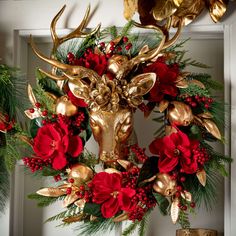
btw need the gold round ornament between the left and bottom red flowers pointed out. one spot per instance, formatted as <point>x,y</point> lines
<point>80,173</point>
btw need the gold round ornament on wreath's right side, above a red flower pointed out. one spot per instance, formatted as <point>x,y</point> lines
<point>180,114</point>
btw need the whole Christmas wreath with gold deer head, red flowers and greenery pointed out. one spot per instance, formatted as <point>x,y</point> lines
<point>95,86</point>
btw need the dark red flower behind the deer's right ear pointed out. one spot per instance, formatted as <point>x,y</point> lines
<point>166,79</point>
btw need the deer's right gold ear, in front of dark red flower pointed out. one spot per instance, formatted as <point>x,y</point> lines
<point>139,86</point>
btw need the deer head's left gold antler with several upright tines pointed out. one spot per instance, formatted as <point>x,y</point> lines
<point>69,69</point>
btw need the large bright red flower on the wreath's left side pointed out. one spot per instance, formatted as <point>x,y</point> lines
<point>54,141</point>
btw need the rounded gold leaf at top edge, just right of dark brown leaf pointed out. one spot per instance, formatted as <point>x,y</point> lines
<point>165,8</point>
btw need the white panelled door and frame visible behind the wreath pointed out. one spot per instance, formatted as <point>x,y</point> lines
<point>209,44</point>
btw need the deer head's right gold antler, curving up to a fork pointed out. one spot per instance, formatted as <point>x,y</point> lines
<point>149,55</point>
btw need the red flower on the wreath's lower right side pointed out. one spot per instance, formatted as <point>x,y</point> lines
<point>173,150</point>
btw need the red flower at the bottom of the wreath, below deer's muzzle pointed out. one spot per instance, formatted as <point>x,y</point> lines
<point>108,191</point>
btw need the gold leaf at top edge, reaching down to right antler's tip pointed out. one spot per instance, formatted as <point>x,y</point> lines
<point>188,10</point>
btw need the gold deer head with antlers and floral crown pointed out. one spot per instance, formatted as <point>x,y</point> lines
<point>111,103</point>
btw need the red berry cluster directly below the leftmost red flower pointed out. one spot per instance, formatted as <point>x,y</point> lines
<point>36,163</point>
